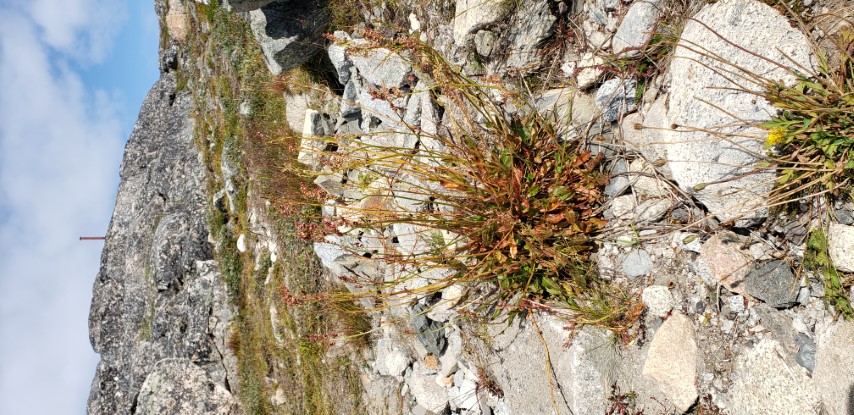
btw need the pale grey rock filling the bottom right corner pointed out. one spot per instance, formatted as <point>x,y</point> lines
<point>834,368</point>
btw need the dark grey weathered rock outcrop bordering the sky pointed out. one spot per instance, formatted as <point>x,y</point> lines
<point>158,293</point>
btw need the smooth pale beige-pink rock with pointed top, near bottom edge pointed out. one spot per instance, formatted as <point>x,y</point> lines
<point>672,361</point>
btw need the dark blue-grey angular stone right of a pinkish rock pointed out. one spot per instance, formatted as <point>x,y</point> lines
<point>773,282</point>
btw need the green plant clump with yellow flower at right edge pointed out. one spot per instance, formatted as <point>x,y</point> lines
<point>811,139</point>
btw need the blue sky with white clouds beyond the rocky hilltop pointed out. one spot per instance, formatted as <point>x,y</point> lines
<point>73,74</point>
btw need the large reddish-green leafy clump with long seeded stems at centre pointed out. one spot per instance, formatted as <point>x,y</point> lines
<point>501,197</point>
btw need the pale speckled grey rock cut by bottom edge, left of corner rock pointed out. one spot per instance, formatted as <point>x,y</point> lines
<point>763,383</point>
